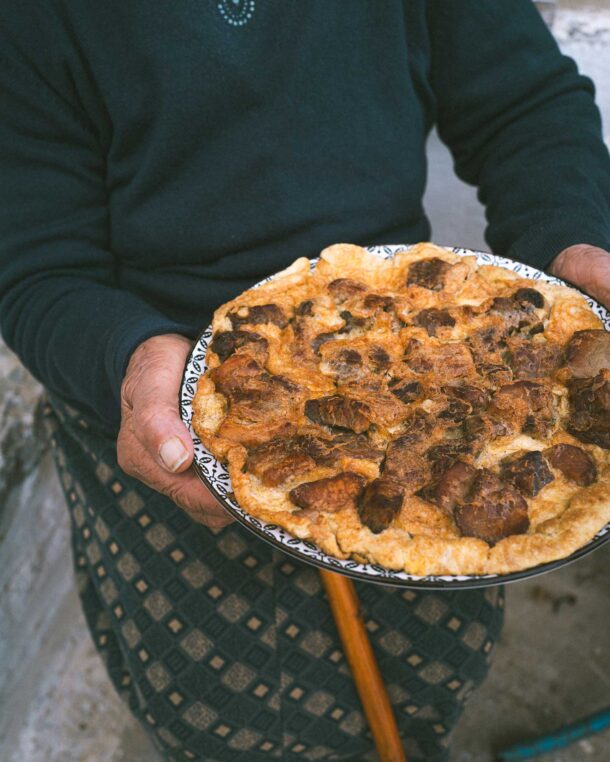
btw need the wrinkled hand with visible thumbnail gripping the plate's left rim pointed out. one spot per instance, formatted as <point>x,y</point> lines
<point>154,445</point>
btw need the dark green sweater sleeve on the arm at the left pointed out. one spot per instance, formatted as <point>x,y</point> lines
<point>61,308</point>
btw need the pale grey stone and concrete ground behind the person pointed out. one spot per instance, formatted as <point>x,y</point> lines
<point>56,704</point>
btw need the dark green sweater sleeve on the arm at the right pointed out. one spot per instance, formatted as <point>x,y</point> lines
<point>522,125</point>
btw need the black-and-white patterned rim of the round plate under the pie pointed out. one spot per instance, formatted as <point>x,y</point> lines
<point>216,477</point>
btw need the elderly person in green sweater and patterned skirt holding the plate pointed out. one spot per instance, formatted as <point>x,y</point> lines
<point>159,158</point>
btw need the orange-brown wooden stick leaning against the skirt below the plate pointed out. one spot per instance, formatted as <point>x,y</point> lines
<point>345,606</point>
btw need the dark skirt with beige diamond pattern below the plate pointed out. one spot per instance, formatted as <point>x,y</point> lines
<point>226,649</point>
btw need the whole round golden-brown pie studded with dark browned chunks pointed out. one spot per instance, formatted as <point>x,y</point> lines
<point>421,412</point>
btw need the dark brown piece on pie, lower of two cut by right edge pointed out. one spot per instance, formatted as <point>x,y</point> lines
<point>590,409</point>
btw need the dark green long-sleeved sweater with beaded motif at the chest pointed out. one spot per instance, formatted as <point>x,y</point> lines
<point>159,157</point>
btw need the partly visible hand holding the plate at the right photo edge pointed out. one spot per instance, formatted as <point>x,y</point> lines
<point>588,268</point>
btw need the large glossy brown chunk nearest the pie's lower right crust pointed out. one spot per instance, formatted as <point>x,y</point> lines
<point>493,509</point>
